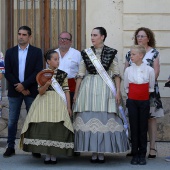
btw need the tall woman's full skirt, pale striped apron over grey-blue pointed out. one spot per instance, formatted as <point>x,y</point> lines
<point>97,124</point>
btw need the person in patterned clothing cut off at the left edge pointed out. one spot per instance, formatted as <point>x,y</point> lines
<point>2,71</point>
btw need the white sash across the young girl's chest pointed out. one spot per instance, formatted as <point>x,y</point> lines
<point>58,89</point>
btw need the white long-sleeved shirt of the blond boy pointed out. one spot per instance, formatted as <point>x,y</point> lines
<point>139,75</point>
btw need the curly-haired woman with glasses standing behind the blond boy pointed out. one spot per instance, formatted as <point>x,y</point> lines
<point>144,36</point>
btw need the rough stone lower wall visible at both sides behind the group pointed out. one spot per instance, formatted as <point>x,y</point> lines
<point>163,124</point>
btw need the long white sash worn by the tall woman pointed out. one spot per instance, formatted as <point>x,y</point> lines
<point>102,72</point>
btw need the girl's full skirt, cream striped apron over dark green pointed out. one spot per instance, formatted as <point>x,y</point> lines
<point>48,128</point>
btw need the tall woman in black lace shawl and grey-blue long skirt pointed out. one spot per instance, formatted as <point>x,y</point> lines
<point>98,125</point>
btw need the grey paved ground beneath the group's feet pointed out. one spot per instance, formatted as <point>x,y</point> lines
<point>24,161</point>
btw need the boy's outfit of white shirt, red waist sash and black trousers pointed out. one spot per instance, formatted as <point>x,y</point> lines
<point>139,81</point>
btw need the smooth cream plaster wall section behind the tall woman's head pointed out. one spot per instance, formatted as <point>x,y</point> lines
<point>108,14</point>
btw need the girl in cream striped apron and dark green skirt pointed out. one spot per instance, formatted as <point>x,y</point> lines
<point>48,128</point>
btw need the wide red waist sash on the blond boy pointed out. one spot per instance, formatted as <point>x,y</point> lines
<point>138,91</point>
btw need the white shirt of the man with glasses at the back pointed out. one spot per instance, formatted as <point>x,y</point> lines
<point>70,62</point>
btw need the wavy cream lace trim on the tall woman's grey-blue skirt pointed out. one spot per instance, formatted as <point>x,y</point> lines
<point>95,125</point>
